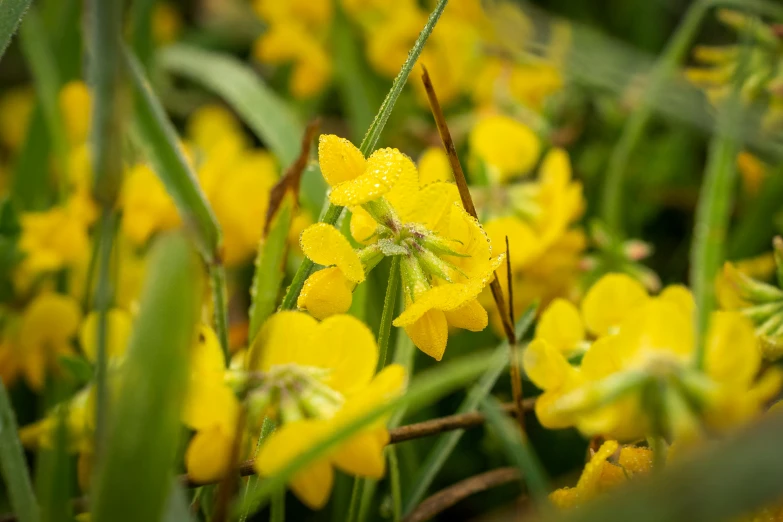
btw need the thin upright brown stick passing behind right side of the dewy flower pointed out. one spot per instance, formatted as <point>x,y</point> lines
<point>506,316</point>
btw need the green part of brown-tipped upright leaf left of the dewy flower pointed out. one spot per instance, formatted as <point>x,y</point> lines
<point>270,266</point>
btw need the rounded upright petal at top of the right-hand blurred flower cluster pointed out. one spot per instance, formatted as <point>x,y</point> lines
<point>609,301</point>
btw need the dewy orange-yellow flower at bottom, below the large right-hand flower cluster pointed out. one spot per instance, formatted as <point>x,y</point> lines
<point>600,474</point>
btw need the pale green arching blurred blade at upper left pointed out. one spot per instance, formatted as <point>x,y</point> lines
<point>260,107</point>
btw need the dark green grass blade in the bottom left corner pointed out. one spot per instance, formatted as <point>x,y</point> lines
<point>13,466</point>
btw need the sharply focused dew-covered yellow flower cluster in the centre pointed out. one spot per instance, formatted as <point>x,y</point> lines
<point>446,258</point>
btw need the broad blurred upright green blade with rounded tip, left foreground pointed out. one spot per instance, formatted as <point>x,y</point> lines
<point>134,476</point>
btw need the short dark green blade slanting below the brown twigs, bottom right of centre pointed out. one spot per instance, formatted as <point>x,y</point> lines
<point>518,449</point>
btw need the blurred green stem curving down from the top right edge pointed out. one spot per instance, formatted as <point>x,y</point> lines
<point>637,121</point>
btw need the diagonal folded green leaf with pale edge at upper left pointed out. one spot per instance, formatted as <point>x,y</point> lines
<point>156,136</point>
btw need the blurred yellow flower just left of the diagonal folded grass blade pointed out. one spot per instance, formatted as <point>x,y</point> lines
<point>147,207</point>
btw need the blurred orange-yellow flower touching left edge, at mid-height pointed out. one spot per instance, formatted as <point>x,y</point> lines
<point>43,332</point>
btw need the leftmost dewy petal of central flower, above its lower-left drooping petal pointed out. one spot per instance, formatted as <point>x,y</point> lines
<point>325,245</point>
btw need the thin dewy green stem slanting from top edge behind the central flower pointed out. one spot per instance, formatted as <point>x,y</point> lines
<point>368,144</point>
